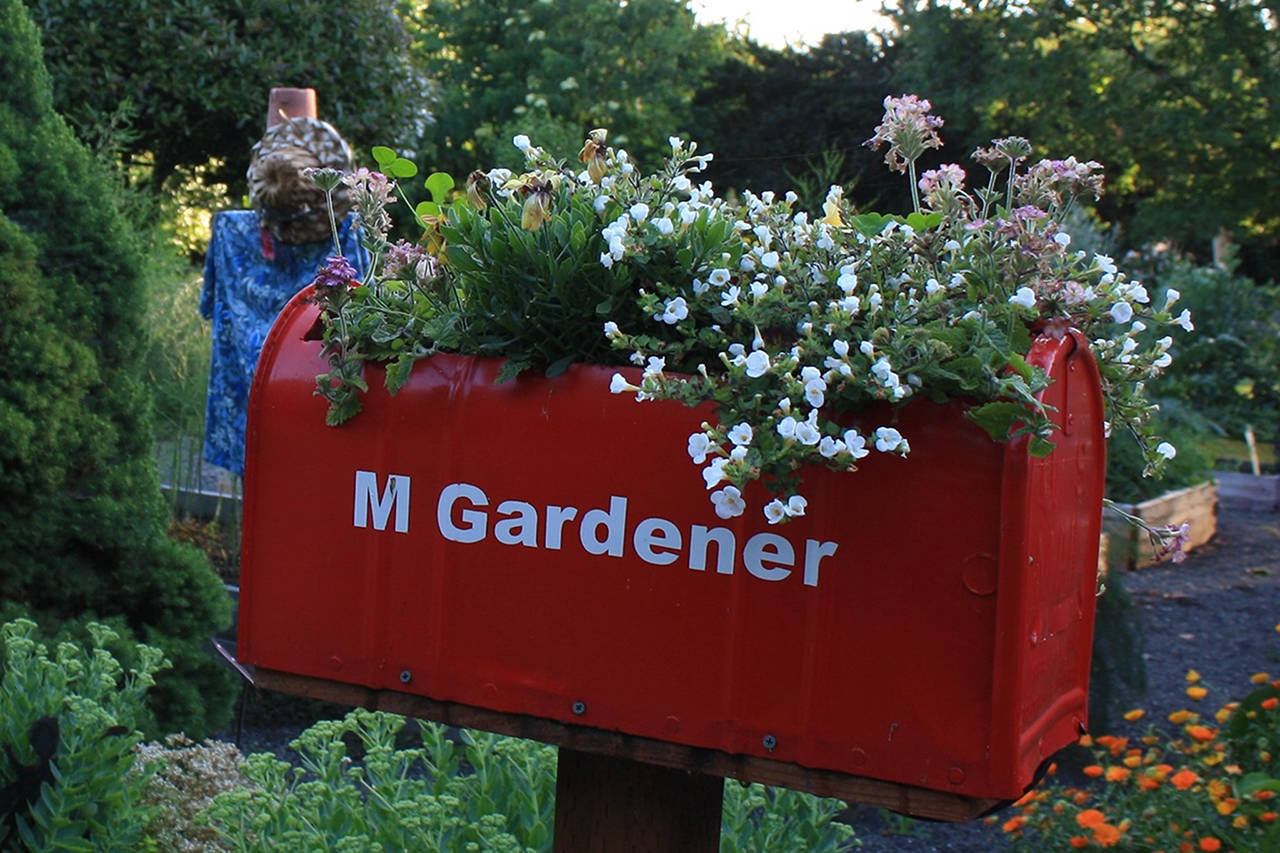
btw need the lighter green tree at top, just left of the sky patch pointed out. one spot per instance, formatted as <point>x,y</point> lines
<point>555,71</point>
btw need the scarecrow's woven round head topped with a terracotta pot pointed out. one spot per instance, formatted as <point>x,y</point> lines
<point>291,207</point>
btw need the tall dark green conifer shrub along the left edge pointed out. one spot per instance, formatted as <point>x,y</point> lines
<point>83,521</point>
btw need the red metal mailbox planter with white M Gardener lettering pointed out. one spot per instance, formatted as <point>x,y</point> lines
<point>545,549</point>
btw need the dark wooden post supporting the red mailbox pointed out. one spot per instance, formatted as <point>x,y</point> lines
<point>606,805</point>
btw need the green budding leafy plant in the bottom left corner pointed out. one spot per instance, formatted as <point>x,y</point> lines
<point>68,724</point>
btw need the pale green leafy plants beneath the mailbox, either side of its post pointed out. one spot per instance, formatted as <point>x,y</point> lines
<point>359,788</point>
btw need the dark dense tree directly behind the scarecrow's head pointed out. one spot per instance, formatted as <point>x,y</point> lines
<point>186,81</point>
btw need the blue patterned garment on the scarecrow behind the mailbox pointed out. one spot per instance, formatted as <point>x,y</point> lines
<point>244,293</point>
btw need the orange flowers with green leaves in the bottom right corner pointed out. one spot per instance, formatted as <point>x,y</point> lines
<point>1212,786</point>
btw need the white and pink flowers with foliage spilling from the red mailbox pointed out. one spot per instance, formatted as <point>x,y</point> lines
<point>785,321</point>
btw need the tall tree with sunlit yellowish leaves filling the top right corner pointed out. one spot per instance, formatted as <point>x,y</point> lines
<point>1180,99</point>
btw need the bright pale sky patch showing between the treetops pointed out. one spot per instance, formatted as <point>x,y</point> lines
<point>775,22</point>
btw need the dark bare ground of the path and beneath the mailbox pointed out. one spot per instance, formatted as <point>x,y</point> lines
<point>1218,613</point>
